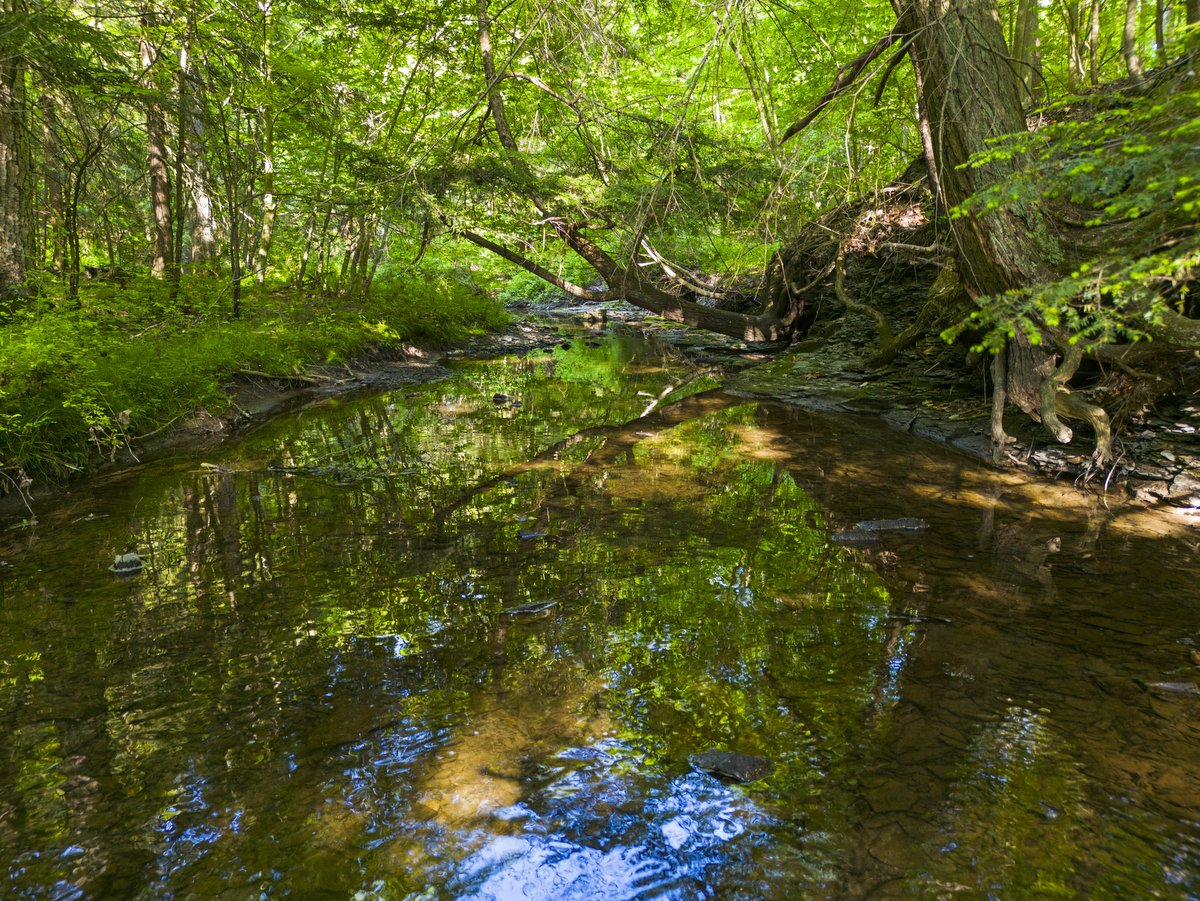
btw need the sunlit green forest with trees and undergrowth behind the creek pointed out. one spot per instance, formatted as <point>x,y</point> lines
<point>189,190</point>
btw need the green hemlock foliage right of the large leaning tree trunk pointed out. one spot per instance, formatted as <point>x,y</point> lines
<point>1130,167</point>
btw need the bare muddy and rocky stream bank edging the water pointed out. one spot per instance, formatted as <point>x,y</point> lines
<point>923,393</point>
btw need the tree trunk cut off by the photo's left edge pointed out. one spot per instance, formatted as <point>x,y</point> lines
<point>15,172</point>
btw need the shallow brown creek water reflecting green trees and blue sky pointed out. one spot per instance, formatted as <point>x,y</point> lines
<point>326,682</point>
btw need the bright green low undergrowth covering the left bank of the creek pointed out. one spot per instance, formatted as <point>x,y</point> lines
<point>130,362</point>
